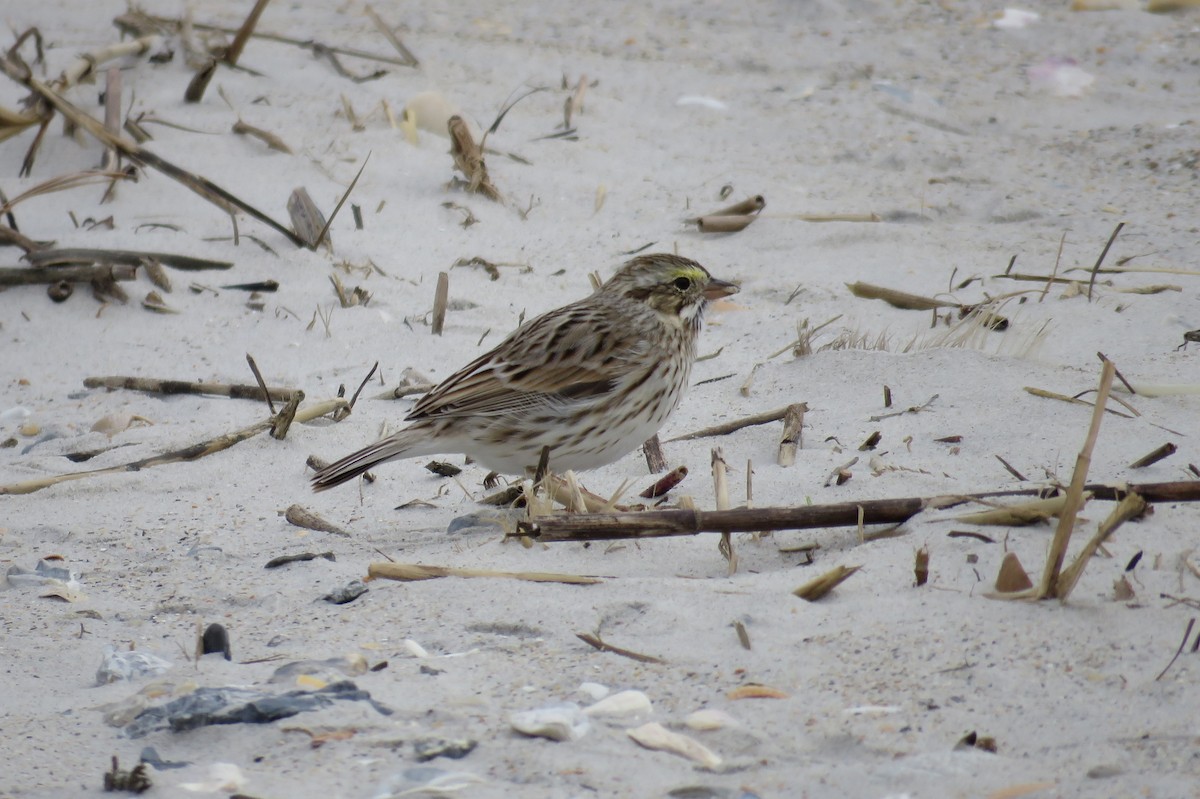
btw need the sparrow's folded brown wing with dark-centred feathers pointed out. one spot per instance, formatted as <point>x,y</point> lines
<point>571,355</point>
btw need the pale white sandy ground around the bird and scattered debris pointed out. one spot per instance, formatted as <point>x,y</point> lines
<point>922,113</point>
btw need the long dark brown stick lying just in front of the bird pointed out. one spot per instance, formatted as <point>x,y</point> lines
<point>652,525</point>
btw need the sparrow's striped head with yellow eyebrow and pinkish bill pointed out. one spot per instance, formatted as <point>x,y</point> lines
<point>673,286</point>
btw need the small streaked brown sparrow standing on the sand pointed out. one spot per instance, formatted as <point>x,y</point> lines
<point>592,380</point>
